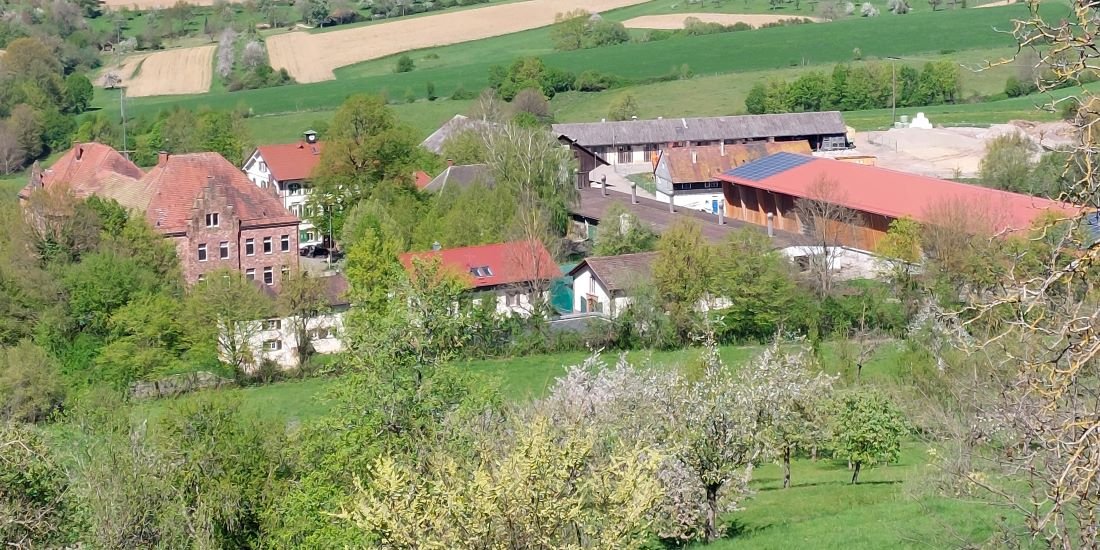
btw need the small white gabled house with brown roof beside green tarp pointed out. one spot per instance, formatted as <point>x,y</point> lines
<point>604,284</point>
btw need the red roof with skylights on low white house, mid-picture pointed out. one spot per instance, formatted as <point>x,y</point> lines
<point>509,263</point>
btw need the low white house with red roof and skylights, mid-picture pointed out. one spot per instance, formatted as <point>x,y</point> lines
<point>510,272</point>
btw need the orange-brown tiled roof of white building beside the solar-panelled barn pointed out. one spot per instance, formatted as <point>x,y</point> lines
<point>712,160</point>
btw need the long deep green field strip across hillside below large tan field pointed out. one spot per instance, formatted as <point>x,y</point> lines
<point>741,52</point>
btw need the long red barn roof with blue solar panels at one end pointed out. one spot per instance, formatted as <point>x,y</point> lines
<point>890,193</point>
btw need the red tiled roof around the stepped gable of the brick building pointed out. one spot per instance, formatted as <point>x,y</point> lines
<point>180,181</point>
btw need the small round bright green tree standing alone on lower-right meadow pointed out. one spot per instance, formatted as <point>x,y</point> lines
<point>867,428</point>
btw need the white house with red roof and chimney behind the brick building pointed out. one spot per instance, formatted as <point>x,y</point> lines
<point>288,169</point>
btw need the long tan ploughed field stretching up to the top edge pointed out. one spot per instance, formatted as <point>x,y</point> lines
<point>313,58</point>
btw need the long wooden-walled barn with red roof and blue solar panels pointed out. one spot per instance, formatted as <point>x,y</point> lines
<point>772,186</point>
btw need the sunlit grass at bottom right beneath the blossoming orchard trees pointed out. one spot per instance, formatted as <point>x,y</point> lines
<point>889,509</point>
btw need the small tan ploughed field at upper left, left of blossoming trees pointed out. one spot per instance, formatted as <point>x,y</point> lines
<point>168,73</point>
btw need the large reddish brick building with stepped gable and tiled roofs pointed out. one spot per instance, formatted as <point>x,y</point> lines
<point>215,216</point>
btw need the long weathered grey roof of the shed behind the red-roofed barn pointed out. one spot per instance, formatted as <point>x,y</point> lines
<point>750,127</point>
